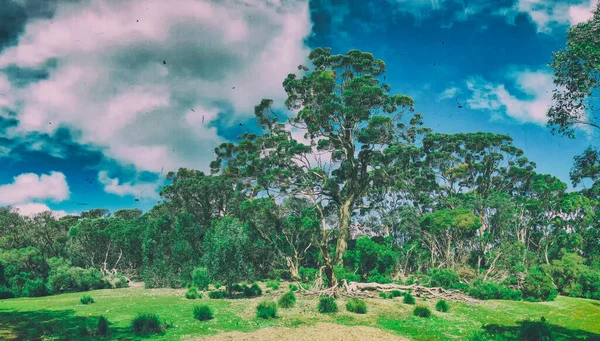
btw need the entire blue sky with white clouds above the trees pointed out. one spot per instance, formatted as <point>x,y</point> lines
<point>99,99</point>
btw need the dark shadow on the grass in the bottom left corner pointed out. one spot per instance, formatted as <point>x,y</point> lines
<point>56,325</point>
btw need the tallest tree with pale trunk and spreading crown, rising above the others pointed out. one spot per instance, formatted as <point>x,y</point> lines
<point>343,117</point>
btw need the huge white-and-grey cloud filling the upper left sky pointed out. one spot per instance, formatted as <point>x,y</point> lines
<point>111,88</point>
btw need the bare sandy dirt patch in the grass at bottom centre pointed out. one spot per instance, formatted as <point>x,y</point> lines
<point>319,332</point>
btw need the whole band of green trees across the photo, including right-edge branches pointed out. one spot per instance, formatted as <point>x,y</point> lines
<point>346,185</point>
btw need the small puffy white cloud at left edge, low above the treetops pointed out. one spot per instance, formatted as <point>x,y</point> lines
<point>31,187</point>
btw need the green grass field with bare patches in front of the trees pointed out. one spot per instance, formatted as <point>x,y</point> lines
<point>61,318</point>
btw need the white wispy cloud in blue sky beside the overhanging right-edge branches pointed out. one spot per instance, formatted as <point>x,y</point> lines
<point>529,103</point>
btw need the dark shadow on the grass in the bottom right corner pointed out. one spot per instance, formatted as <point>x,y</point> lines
<point>559,333</point>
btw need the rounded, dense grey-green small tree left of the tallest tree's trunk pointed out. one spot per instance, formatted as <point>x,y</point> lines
<point>226,251</point>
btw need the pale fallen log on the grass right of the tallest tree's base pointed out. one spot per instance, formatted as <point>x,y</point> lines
<point>365,289</point>
